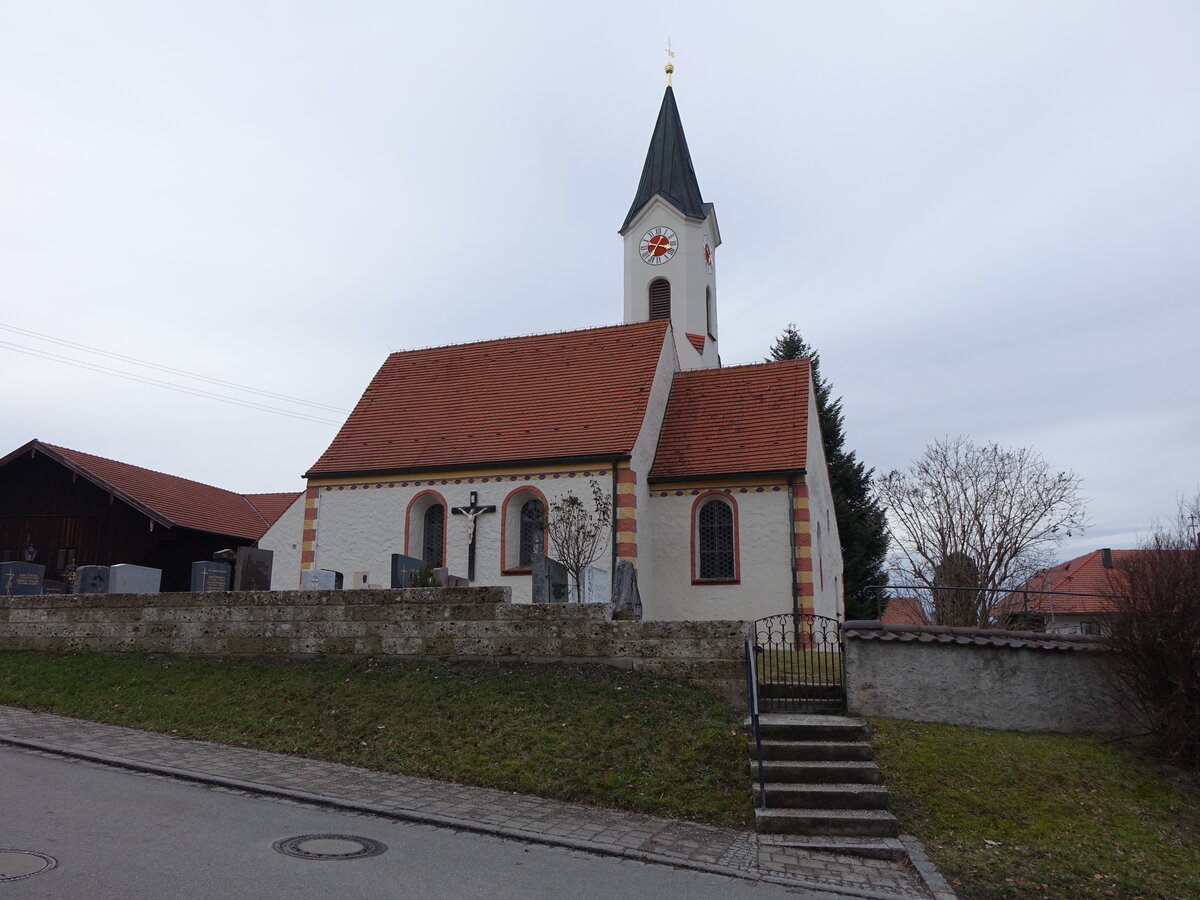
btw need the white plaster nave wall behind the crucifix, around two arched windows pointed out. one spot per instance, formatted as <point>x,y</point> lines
<point>359,527</point>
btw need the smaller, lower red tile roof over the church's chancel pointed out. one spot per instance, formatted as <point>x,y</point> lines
<point>741,419</point>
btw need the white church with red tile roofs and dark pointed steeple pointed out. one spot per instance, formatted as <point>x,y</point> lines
<point>722,496</point>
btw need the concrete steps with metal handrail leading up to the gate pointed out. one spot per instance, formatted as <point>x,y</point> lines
<point>824,790</point>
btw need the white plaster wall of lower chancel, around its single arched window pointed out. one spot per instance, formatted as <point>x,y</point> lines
<point>765,559</point>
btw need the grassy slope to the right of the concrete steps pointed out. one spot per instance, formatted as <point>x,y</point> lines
<point>1043,815</point>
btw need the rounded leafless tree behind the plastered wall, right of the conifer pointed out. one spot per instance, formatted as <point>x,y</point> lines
<point>988,514</point>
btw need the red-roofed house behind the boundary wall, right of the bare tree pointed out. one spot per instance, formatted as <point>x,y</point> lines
<point>1071,598</point>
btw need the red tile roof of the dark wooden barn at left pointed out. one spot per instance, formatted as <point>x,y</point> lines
<point>175,501</point>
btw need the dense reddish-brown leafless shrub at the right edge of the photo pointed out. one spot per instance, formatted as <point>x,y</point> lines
<point>1154,635</point>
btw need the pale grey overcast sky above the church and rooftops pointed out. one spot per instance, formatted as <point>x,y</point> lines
<point>985,217</point>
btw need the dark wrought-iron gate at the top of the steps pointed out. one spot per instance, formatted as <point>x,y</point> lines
<point>799,664</point>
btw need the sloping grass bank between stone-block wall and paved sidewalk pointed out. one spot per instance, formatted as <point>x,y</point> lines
<point>591,735</point>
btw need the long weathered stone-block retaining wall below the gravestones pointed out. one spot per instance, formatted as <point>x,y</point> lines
<point>447,623</point>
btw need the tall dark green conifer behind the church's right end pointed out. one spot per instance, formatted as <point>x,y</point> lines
<point>861,521</point>
